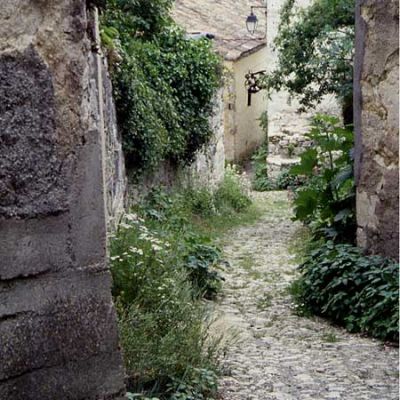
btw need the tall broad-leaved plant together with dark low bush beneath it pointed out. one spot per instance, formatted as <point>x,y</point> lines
<point>337,281</point>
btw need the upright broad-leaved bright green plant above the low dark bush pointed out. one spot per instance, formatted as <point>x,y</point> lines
<point>326,201</point>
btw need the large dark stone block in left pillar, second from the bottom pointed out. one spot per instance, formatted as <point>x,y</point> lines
<point>54,322</point>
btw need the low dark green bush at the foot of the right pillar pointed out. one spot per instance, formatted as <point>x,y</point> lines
<point>360,292</point>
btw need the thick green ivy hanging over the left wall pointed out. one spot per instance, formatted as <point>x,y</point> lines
<point>163,83</point>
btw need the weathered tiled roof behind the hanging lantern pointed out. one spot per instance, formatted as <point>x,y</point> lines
<point>226,19</point>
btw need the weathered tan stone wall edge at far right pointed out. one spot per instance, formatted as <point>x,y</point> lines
<point>376,123</point>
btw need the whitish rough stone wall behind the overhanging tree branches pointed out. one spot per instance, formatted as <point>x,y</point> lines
<point>286,127</point>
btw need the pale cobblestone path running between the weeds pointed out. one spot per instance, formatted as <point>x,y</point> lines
<point>279,355</point>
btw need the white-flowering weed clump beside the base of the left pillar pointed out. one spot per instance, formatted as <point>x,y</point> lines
<point>163,327</point>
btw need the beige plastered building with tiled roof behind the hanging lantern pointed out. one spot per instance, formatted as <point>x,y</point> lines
<point>242,53</point>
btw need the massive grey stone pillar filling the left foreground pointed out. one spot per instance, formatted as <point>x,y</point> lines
<point>58,333</point>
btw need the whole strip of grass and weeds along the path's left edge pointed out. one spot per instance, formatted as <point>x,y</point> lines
<point>164,266</point>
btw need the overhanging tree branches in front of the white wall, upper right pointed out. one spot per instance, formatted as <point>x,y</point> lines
<point>315,48</point>
